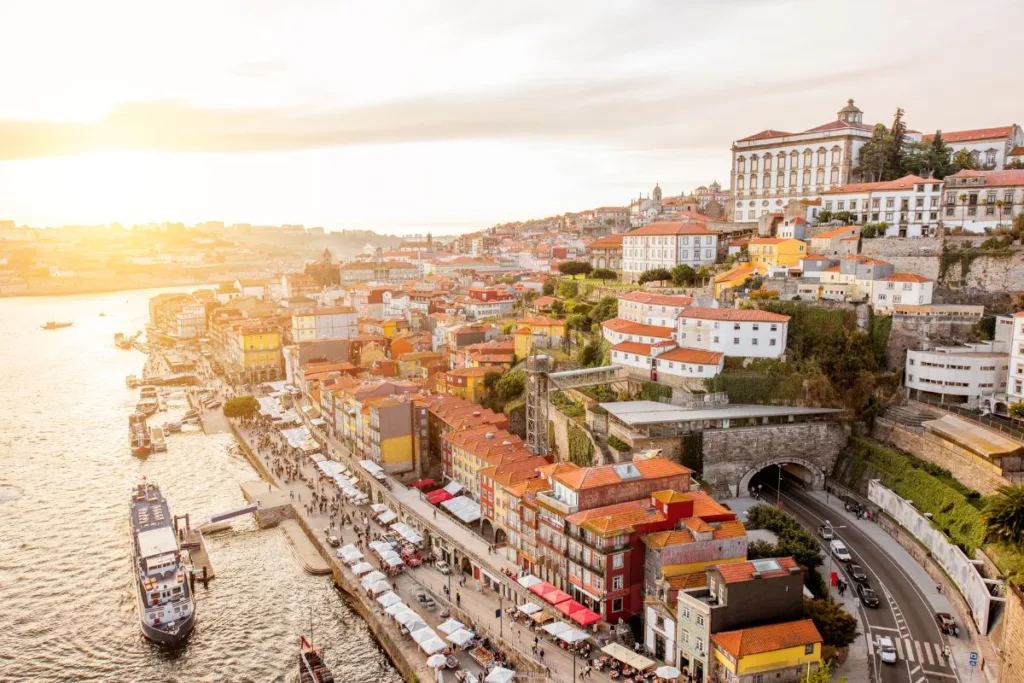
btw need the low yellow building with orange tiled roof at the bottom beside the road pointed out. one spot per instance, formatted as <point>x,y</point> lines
<point>778,653</point>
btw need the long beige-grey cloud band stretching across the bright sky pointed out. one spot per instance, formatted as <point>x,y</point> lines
<point>613,112</point>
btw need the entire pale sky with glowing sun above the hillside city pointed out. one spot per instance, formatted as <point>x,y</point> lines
<point>453,115</point>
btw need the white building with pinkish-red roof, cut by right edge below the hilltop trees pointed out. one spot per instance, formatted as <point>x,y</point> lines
<point>979,200</point>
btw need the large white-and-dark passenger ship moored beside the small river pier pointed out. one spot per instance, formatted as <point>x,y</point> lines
<point>166,606</point>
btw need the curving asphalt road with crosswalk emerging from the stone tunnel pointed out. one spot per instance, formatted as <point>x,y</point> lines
<point>905,614</point>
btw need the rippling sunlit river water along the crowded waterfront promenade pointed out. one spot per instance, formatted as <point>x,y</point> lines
<point>67,597</point>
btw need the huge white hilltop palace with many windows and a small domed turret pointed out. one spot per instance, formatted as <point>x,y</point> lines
<point>774,167</point>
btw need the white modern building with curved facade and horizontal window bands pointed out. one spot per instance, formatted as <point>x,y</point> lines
<point>959,374</point>
